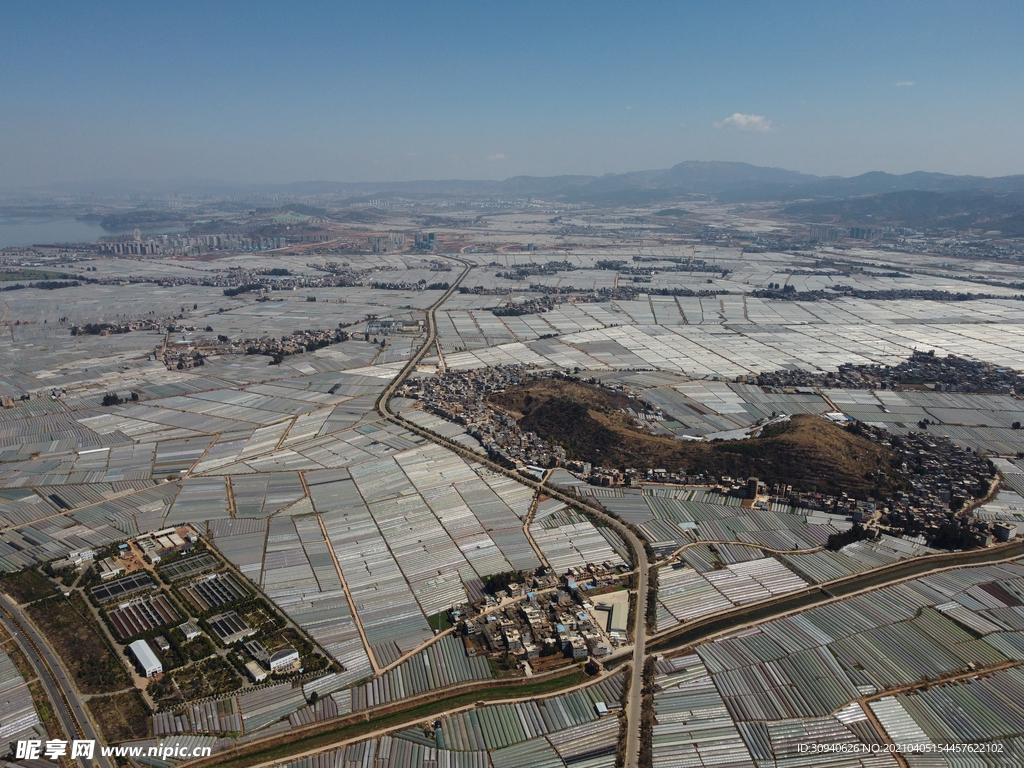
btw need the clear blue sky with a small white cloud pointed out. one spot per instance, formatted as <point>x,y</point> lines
<point>405,91</point>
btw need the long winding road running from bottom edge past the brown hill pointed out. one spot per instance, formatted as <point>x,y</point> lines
<point>639,556</point>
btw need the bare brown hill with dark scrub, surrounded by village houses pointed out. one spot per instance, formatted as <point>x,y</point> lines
<point>809,453</point>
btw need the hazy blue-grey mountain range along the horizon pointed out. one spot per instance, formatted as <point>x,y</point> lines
<point>729,182</point>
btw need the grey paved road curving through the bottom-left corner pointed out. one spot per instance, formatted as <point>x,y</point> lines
<point>55,678</point>
